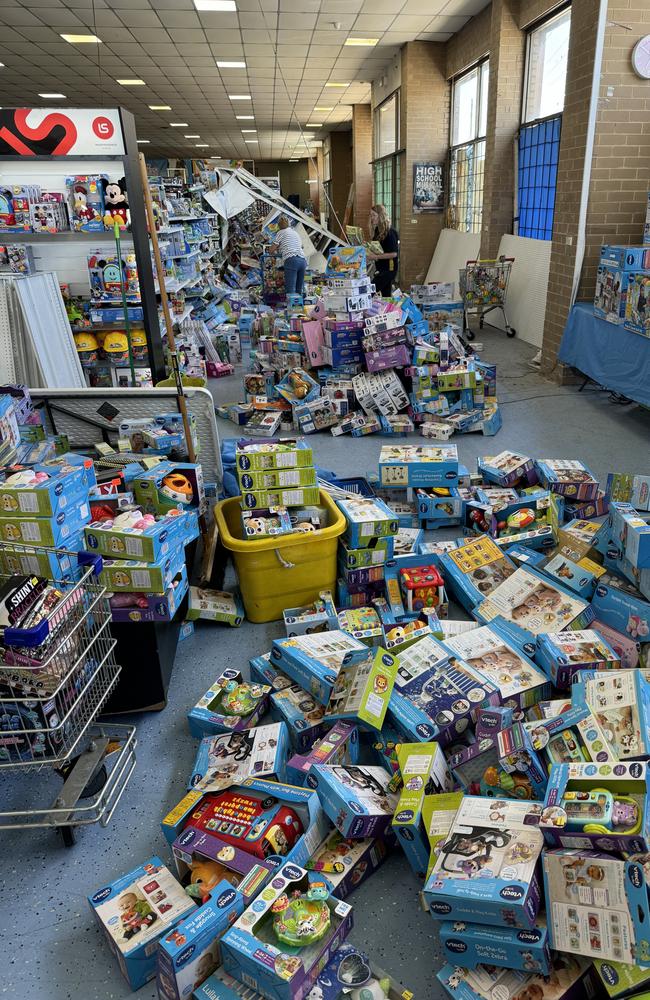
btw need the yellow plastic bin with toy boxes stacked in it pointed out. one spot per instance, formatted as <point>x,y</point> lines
<point>286,571</point>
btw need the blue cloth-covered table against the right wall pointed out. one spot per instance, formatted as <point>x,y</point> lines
<point>608,354</point>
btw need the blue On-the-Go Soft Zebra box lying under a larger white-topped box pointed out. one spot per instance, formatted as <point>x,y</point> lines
<point>524,948</point>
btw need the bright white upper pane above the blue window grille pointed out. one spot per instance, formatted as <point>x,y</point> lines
<point>546,62</point>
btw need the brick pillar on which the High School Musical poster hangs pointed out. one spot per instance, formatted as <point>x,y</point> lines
<point>424,130</point>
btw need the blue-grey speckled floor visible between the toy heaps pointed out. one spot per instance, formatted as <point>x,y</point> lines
<point>52,947</point>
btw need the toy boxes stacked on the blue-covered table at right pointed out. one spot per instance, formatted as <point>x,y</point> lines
<point>623,287</point>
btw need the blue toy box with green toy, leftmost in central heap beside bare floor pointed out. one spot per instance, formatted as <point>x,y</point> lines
<point>230,705</point>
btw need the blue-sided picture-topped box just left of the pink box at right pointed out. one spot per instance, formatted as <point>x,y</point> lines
<point>561,654</point>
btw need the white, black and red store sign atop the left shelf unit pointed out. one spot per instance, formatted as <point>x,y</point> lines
<point>60,132</point>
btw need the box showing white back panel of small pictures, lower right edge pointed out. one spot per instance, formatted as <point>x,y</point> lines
<point>597,905</point>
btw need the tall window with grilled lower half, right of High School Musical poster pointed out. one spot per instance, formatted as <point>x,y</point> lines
<point>467,155</point>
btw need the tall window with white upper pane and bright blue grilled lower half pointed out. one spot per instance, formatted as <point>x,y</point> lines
<point>538,141</point>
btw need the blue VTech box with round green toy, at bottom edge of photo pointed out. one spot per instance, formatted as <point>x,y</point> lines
<point>285,938</point>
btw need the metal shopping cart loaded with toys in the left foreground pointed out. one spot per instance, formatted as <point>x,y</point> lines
<point>59,767</point>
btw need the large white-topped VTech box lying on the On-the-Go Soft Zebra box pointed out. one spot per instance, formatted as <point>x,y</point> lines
<point>486,867</point>
